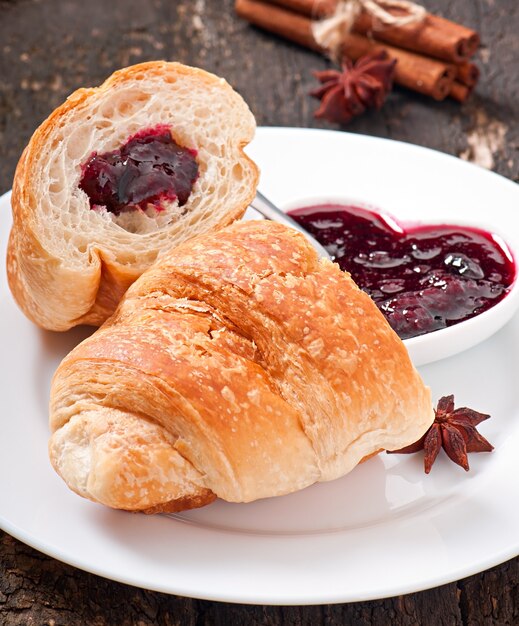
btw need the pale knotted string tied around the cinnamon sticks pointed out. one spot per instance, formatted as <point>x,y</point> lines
<point>330,32</point>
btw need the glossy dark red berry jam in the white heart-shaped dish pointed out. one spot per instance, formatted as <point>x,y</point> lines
<point>422,279</point>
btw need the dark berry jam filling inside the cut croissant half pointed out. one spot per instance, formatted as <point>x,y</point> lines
<point>148,169</point>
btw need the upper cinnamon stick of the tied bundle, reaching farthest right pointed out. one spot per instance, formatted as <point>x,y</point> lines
<point>435,36</point>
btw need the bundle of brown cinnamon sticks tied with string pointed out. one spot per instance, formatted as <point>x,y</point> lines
<point>433,55</point>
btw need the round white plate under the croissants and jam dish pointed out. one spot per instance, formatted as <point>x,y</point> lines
<point>386,528</point>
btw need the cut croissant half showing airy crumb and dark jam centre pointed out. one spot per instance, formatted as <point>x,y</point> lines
<point>115,177</point>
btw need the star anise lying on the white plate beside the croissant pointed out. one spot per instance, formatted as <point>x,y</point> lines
<point>455,431</point>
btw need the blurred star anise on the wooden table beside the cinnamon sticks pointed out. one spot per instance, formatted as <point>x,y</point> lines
<point>359,86</point>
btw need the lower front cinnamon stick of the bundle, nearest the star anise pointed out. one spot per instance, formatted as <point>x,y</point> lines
<point>425,75</point>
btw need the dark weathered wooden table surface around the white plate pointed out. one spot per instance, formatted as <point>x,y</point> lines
<point>48,48</point>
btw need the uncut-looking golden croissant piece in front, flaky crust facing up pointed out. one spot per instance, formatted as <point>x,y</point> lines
<point>241,367</point>
